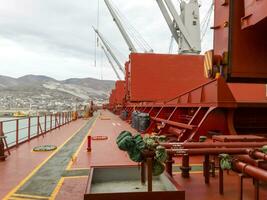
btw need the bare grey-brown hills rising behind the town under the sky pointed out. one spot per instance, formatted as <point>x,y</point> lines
<point>83,88</point>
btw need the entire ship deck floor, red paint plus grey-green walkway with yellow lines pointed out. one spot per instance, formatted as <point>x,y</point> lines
<point>63,173</point>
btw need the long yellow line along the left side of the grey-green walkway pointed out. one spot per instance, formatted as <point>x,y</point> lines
<point>39,166</point>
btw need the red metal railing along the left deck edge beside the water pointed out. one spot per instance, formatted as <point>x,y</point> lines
<point>21,130</point>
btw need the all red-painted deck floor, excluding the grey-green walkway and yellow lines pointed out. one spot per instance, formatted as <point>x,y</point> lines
<point>105,153</point>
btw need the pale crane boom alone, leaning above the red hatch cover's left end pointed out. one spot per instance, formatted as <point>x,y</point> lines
<point>121,28</point>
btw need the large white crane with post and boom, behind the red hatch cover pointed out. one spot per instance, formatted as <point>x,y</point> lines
<point>185,28</point>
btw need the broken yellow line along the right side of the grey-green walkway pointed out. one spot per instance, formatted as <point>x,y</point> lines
<point>60,183</point>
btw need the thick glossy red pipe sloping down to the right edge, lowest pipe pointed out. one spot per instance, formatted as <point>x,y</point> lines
<point>255,172</point>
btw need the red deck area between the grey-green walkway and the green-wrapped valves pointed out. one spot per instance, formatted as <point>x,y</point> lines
<point>104,153</point>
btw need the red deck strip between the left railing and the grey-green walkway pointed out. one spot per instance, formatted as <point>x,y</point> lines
<point>23,161</point>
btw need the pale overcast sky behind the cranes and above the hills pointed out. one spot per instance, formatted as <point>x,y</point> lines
<point>55,38</point>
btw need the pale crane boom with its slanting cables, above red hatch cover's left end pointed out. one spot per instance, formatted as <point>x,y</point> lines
<point>126,34</point>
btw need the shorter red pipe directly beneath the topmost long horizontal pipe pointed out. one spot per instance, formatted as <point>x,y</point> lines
<point>206,151</point>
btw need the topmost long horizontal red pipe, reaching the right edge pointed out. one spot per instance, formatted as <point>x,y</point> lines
<point>192,145</point>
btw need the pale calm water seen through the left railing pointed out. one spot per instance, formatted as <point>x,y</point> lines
<point>9,128</point>
